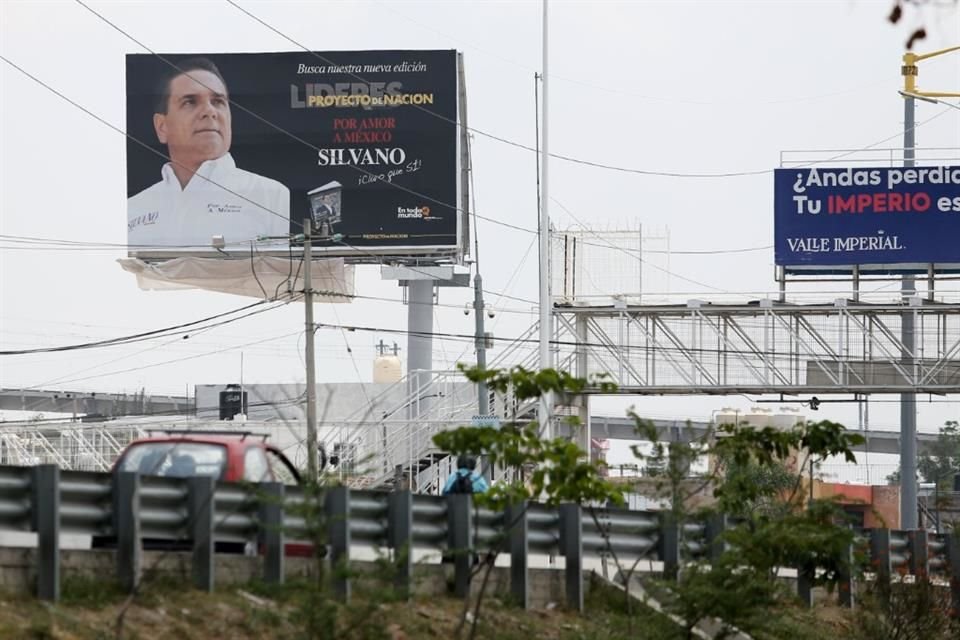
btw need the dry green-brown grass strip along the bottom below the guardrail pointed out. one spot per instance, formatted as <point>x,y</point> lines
<point>166,609</point>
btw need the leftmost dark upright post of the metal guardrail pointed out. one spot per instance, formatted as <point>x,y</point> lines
<point>46,504</point>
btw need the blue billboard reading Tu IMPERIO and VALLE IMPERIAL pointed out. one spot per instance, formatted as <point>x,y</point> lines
<point>830,218</point>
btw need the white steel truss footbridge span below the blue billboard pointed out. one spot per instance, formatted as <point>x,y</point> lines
<point>765,347</point>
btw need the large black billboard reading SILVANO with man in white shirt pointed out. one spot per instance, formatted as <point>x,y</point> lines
<point>228,148</point>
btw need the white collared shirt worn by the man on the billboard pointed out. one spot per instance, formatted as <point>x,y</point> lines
<point>231,202</point>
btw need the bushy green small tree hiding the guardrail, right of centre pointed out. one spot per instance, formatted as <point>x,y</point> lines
<point>776,526</point>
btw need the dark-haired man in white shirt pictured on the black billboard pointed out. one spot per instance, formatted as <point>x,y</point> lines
<point>202,193</point>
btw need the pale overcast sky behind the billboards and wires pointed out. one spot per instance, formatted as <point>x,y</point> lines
<point>689,87</point>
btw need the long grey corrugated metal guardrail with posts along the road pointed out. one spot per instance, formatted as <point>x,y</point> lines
<point>197,513</point>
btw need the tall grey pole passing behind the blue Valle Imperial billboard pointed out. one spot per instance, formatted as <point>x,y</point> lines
<point>908,401</point>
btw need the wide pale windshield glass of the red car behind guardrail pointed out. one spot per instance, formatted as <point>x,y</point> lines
<point>175,459</point>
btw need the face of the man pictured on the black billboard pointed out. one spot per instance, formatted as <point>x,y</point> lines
<point>196,126</point>
